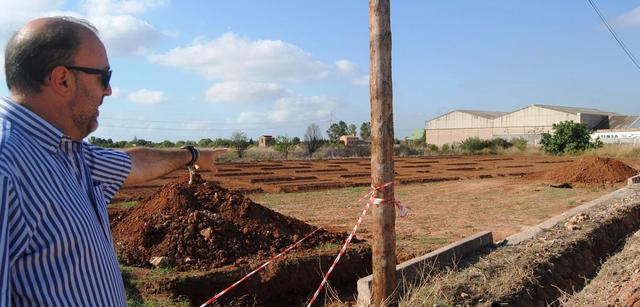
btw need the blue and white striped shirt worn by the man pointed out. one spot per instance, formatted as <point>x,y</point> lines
<point>55,240</point>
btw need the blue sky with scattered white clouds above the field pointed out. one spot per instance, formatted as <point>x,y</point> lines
<point>187,70</point>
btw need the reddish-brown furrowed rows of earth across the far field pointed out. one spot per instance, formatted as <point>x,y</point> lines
<point>307,175</point>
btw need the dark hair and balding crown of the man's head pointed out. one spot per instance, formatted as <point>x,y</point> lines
<point>40,46</point>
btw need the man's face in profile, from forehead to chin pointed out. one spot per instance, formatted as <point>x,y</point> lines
<point>89,89</point>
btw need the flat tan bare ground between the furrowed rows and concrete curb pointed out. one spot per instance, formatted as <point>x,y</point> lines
<point>441,212</point>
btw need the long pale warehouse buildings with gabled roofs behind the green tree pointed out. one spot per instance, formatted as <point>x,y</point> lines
<point>529,123</point>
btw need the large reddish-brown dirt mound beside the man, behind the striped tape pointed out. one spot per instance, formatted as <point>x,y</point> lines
<point>204,226</point>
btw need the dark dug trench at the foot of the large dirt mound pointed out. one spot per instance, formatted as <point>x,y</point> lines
<point>287,282</point>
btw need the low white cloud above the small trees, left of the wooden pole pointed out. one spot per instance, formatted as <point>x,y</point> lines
<point>292,108</point>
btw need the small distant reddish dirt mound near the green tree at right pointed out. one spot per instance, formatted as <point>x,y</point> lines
<point>588,171</point>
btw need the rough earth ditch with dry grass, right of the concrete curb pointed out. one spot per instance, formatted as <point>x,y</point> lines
<point>552,265</point>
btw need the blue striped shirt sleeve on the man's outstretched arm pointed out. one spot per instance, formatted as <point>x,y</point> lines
<point>108,167</point>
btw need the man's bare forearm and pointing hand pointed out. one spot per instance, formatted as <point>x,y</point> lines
<point>150,163</point>
